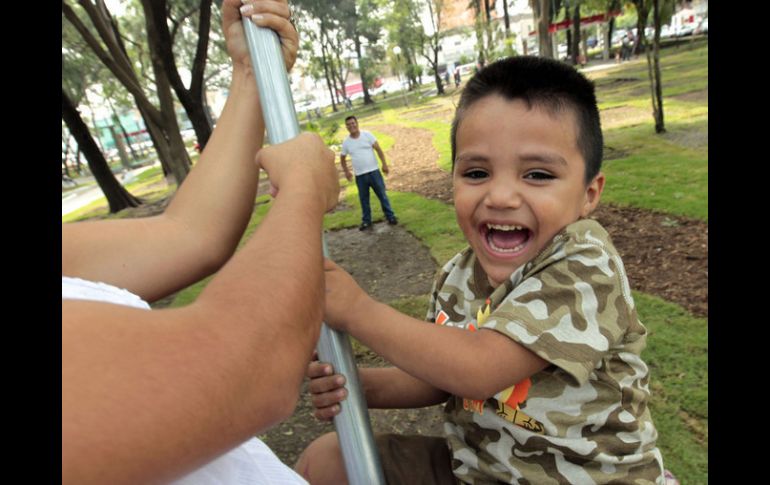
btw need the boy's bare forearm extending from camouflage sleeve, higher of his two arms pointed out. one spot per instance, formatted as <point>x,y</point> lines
<point>474,365</point>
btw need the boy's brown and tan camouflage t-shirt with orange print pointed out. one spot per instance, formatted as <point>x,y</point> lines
<point>584,418</point>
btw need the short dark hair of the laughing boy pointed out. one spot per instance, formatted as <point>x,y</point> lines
<point>546,83</point>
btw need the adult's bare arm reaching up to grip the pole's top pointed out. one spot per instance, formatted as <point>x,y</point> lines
<point>153,257</point>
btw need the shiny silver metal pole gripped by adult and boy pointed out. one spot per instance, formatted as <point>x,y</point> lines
<point>362,461</point>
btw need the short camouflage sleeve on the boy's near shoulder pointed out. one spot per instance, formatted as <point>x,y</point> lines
<point>573,305</point>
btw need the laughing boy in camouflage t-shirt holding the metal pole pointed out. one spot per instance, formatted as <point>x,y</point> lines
<point>535,343</point>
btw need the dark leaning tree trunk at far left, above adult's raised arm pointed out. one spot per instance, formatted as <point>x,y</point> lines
<point>118,197</point>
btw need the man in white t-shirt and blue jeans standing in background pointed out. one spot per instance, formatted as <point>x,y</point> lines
<point>361,145</point>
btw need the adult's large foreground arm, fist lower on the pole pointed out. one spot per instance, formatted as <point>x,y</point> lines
<point>150,395</point>
